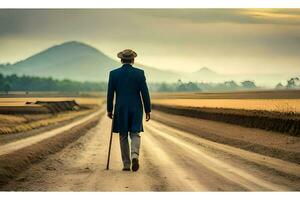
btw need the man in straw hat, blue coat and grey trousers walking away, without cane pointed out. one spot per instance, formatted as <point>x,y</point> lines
<point>129,85</point>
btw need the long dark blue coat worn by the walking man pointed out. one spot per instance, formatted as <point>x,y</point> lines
<point>129,85</point>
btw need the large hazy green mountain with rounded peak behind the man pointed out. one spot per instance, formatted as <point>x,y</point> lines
<point>77,61</point>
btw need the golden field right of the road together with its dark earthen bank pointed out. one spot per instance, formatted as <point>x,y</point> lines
<point>247,109</point>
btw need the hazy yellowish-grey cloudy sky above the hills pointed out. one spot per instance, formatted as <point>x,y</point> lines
<point>225,40</point>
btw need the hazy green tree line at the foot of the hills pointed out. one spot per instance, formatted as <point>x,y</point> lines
<point>30,83</point>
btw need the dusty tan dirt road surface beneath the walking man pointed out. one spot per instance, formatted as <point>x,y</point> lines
<point>171,160</point>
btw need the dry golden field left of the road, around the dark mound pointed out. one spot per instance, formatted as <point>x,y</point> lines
<point>19,121</point>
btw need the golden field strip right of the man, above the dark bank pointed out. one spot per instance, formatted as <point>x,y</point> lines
<point>279,101</point>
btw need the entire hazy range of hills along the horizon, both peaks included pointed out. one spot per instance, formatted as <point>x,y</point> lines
<point>78,61</point>
